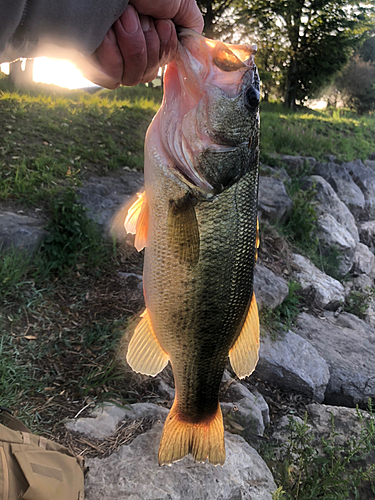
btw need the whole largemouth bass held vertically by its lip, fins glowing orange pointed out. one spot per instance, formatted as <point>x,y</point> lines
<point>197,220</point>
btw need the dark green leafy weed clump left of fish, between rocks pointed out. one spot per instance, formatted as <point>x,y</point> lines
<point>74,239</point>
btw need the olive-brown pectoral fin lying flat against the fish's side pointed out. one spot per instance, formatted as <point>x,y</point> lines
<point>183,232</point>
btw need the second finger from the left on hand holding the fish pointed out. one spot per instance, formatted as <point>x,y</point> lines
<point>132,43</point>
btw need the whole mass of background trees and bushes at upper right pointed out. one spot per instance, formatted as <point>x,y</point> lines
<point>302,44</point>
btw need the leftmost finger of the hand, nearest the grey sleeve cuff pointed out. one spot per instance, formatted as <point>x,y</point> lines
<point>109,61</point>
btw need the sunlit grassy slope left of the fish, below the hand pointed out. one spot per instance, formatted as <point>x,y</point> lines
<point>54,139</point>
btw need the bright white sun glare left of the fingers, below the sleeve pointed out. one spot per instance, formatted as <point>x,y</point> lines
<point>58,72</point>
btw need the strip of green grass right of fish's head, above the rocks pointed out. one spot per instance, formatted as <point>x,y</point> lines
<point>316,133</point>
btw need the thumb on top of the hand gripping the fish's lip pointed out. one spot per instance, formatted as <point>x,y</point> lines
<point>182,12</point>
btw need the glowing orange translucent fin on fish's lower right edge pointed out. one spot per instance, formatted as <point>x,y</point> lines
<point>244,354</point>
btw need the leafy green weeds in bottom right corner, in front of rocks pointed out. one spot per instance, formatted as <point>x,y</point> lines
<point>333,473</point>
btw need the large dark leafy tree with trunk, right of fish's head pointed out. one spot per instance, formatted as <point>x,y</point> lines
<point>318,38</point>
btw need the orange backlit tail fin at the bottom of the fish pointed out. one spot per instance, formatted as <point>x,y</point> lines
<point>204,440</point>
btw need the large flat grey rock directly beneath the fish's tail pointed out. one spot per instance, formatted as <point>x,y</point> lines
<point>133,473</point>
